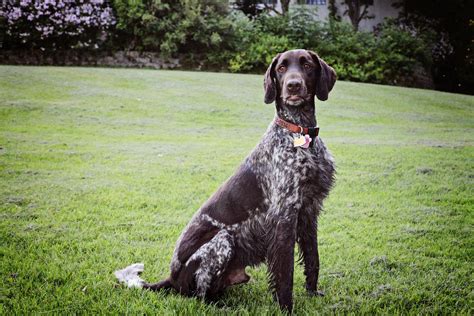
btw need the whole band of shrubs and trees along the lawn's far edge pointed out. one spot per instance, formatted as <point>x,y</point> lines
<point>210,34</point>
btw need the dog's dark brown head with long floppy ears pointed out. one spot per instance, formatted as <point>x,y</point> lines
<point>296,76</point>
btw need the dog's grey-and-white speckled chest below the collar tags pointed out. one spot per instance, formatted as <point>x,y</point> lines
<point>289,174</point>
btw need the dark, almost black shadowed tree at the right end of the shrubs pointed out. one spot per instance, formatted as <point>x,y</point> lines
<point>453,54</point>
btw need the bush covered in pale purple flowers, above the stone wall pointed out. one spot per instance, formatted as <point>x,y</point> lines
<point>55,24</point>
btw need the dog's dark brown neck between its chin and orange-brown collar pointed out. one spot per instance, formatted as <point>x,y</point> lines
<point>303,114</point>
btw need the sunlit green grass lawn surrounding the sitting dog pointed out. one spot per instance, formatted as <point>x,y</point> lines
<point>101,168</point>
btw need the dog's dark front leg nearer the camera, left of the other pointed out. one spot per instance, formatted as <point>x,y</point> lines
<point>280,258</point>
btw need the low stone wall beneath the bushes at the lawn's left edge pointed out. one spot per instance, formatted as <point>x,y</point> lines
<point>75,58</point>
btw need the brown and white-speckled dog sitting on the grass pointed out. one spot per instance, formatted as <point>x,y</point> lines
<point>271,202</point>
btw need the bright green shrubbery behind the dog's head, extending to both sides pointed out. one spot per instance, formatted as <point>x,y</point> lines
<point>384,57</point>
